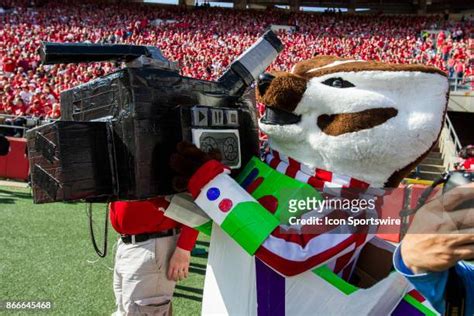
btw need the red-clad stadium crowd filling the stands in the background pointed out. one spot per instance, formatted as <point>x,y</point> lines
<point>204,42</point>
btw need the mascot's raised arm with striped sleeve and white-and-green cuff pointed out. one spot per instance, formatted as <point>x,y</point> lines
<point>257,231</point>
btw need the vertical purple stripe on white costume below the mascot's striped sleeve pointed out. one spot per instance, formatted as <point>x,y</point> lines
<point>270,291</point>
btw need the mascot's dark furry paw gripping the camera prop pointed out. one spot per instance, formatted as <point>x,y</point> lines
<point>187,160</point>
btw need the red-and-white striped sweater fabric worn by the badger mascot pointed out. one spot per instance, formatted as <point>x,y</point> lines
<point>292,251</point>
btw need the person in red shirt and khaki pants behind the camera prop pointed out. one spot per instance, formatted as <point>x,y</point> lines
<point>153,253</point>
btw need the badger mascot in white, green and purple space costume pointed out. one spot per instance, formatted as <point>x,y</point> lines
<point>331,123</point>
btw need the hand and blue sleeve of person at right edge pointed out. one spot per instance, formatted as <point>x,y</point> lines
<point>438,241</point>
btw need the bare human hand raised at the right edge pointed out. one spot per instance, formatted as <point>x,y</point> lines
<point>439,235</point>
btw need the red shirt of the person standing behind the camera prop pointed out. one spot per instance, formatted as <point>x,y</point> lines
<point>139,217</point>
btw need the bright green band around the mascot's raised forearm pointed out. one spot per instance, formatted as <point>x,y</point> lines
<point>249,224</point>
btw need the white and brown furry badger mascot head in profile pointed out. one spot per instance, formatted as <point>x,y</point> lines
<point>367,120</point>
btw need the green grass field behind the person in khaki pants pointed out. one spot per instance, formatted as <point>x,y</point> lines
<point>46,254</point>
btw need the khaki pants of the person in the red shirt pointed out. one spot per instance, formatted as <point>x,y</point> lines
<point>141,286</point>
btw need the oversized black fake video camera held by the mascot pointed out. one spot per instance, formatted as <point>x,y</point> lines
<point>117,132</point>
